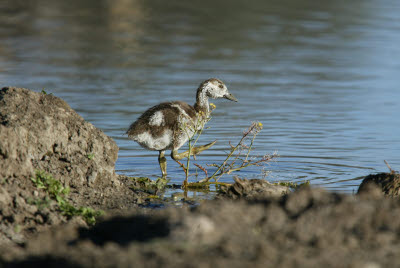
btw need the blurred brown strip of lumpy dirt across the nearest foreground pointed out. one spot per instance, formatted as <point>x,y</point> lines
<point>308,228</point>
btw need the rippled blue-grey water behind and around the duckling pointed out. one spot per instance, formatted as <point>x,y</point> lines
<point>323,78</point>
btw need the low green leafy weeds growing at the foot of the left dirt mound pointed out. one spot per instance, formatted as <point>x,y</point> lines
<point>58,192</point>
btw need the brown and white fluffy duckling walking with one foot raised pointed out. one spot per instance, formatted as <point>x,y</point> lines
<point>160,127</point>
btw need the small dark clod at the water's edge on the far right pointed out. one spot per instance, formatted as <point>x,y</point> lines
<point>387,183</point>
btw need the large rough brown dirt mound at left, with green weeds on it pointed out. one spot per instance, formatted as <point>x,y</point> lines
<point>41,132</point>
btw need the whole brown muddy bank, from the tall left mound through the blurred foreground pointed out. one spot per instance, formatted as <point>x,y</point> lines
<point>252,223</point>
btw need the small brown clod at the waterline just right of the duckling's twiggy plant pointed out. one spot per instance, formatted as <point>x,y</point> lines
<point>253,189</point>
